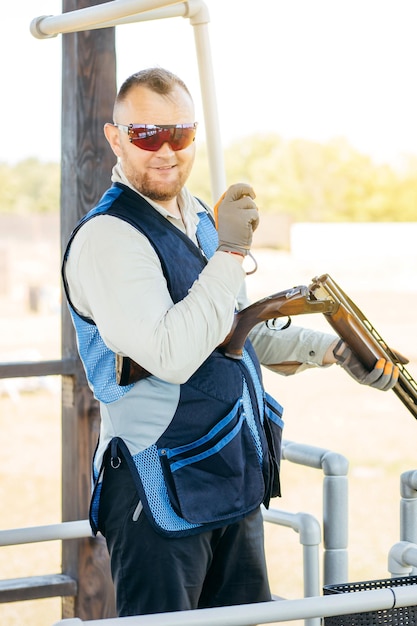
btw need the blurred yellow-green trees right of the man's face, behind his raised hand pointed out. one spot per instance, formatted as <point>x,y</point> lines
<point>316,182</point>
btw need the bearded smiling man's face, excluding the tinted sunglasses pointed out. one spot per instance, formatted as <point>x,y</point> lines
<point>158,175</point>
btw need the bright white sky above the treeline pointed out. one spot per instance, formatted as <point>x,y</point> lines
<point>312,69</point>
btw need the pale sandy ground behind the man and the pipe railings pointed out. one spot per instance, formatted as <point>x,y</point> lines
<point>324,408</point>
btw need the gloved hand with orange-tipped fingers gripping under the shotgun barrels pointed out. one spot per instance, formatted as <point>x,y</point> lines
<point>384,375</point>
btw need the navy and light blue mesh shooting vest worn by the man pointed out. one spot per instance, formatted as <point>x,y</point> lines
<point>218,459</point>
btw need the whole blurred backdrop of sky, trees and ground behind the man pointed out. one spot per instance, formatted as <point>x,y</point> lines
<point>317,111</point>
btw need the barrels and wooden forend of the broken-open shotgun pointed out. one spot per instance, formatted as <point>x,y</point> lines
<point>356,330</point>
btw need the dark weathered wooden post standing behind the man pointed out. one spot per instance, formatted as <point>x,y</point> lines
<point>88,92</point>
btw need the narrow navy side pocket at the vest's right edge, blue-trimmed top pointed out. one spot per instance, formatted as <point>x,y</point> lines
<point>273,426</point>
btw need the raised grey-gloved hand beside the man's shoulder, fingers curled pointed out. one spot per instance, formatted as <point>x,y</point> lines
<point>236,218</point>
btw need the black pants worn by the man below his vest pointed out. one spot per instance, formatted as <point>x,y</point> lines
<point>154,574</point>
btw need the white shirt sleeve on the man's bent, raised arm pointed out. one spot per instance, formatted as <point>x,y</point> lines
<point>115,278</point>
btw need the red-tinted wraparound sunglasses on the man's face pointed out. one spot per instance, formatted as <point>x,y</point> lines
<point>153,136</point>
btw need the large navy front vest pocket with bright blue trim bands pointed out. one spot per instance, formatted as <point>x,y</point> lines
<point>218,476</point>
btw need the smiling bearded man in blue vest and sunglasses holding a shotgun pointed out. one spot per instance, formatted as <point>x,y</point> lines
<point>187,454</point>
